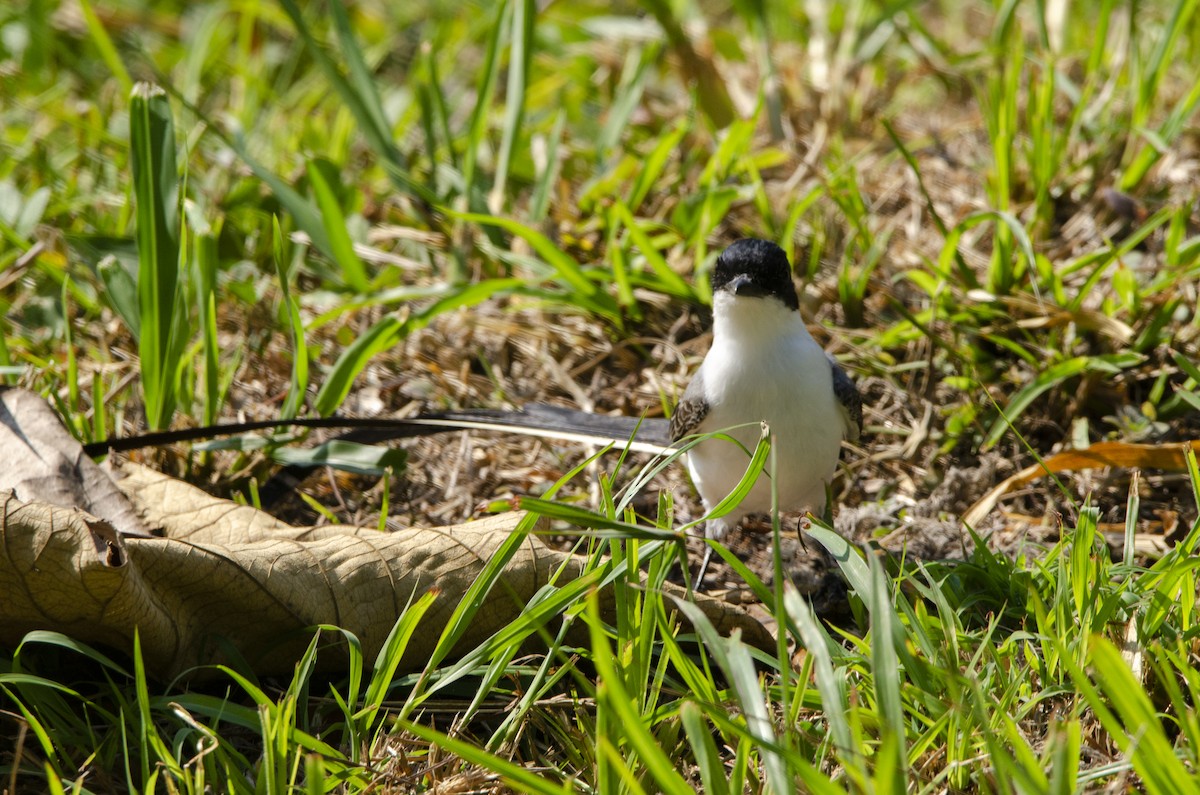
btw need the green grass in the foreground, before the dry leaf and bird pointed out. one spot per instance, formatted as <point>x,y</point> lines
<point>943,689</point>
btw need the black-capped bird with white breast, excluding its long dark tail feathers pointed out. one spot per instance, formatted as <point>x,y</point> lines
<point>764,369</point>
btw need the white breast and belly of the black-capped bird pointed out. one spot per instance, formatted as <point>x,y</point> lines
<point>765,367</point>
